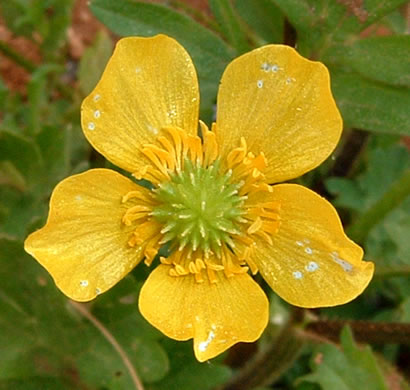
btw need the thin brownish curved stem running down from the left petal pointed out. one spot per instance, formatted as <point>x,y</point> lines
<point>81,308</point>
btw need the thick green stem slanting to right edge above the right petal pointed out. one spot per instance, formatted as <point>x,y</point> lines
<point>391,199</point>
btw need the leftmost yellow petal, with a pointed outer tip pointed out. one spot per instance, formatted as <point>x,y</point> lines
<point>84,243</point>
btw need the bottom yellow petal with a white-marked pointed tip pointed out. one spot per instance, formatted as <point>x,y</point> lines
<point>217,315</point>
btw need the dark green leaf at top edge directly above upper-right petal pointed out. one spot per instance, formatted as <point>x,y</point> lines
<point>264,17</point>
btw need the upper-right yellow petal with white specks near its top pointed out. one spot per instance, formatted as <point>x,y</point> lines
<point>282,105</point>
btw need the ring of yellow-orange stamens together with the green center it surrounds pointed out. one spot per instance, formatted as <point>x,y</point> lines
<point>207,210</point>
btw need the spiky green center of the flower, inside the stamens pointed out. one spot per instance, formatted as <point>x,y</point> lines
<point>199,208</point>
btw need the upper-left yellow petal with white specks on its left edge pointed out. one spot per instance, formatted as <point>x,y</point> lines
<point>149,83</point>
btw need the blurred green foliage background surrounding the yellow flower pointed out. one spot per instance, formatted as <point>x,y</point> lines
<point>46,343</point>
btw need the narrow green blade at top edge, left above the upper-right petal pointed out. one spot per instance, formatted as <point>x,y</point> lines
<point>230,24</point>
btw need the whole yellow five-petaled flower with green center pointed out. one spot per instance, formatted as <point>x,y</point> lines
<point>212,198</point>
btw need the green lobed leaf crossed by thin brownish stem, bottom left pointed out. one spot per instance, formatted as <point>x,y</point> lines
<point>118,311</point>
